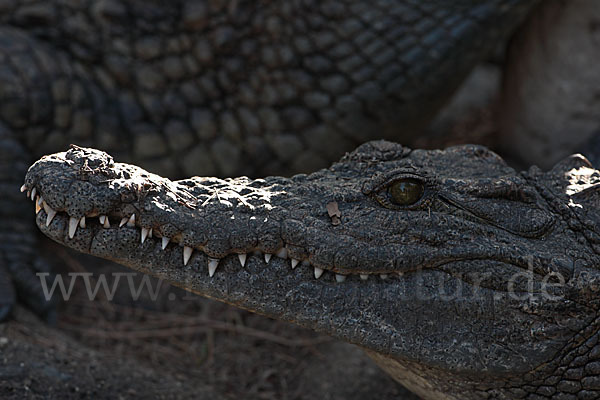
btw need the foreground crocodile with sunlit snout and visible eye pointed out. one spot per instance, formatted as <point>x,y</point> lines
<point>459,276</point>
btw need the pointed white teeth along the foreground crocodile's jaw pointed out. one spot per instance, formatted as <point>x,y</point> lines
<point>213,263</point>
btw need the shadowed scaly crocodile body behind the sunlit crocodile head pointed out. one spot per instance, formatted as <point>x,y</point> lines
<point>223,88</point>
